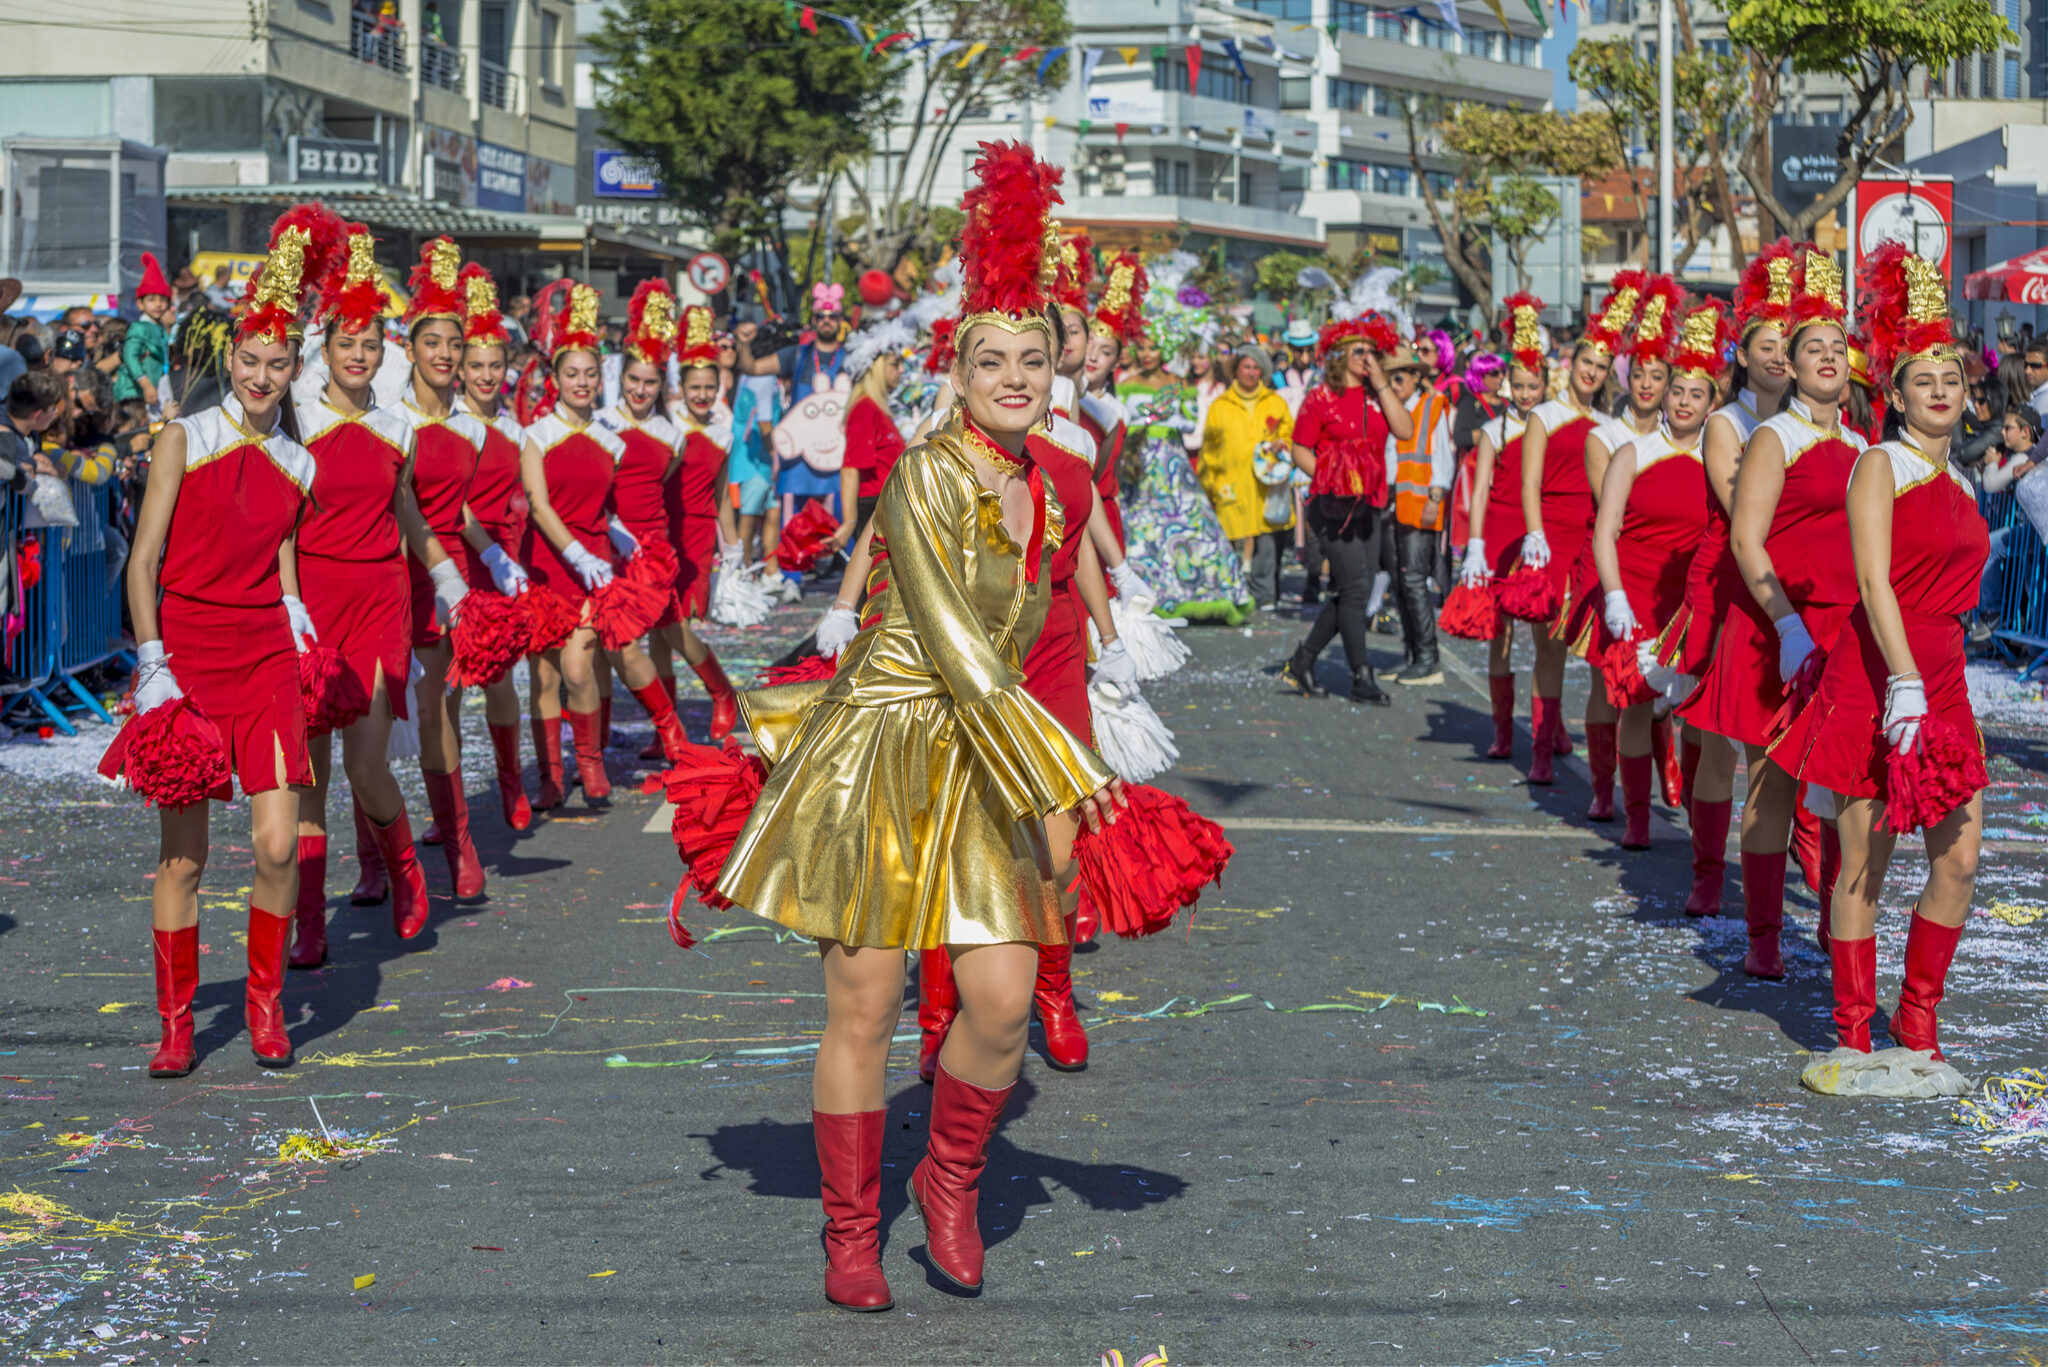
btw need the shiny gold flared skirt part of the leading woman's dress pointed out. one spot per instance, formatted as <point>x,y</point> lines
<point>878,827</point>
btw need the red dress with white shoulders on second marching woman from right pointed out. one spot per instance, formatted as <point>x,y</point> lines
<point>1809,544</point>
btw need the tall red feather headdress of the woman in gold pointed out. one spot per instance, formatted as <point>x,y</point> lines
<point>1011,241</point>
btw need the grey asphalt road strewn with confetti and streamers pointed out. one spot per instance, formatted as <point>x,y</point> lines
<point>1437,1077</point>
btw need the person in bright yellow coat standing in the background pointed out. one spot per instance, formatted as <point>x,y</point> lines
<point>1246,472</point>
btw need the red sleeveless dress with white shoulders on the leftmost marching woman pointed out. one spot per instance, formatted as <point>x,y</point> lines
<point>224,610</point>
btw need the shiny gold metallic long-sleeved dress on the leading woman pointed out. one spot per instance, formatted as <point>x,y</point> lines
<point>906,798</point>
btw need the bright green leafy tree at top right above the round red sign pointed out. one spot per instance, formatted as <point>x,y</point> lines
<point>1873,48</point>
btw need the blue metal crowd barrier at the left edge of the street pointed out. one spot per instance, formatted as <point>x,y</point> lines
<point>71,618</point>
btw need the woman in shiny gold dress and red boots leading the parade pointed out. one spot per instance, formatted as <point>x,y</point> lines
<point>906,798</point>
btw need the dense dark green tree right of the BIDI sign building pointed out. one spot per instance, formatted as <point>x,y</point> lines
<point>734,103</point>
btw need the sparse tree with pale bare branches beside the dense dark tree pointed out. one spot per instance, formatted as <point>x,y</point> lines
<point>943,85</point>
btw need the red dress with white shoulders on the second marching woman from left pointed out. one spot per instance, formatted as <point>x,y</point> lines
<point>351,563</point>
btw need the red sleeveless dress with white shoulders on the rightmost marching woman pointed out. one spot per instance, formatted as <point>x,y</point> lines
<point>1938,556</point>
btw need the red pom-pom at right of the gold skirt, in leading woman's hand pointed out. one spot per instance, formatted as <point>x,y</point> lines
<point>1154,860</point>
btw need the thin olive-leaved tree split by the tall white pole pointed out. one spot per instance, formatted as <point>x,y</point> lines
<point>1709,95</point>
